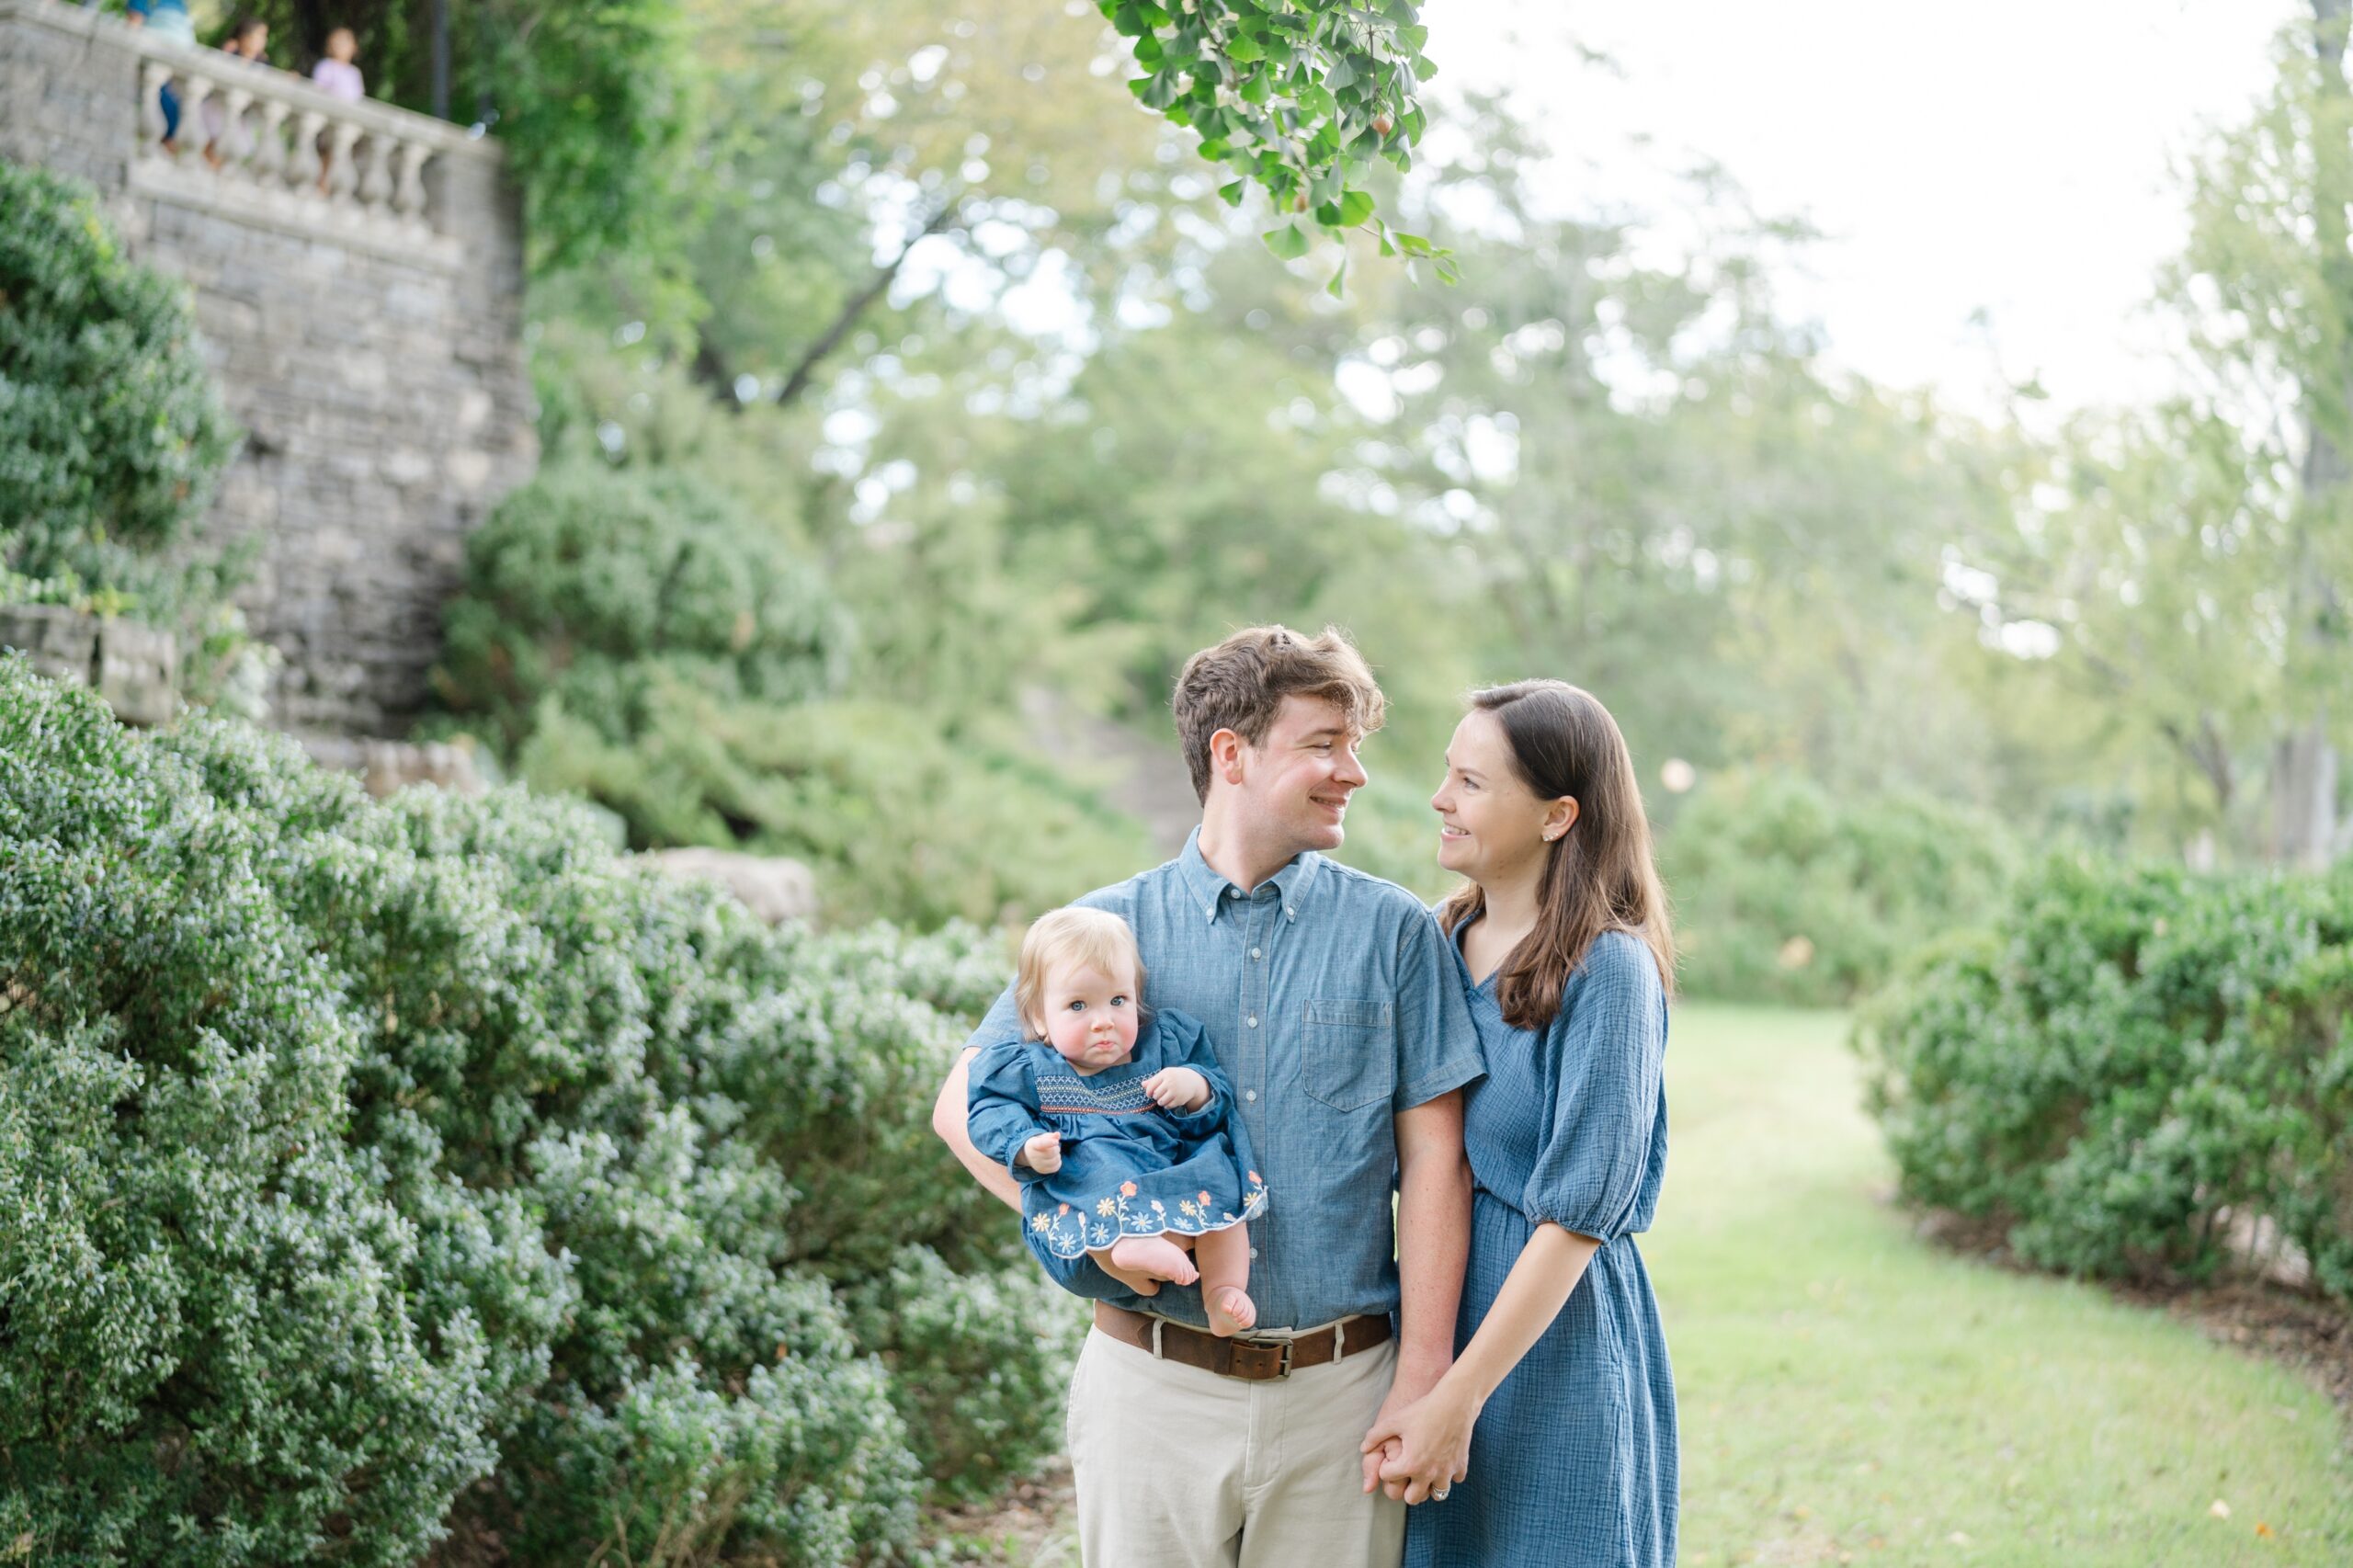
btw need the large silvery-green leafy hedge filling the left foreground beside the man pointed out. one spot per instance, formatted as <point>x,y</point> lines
<point>389,1174</point>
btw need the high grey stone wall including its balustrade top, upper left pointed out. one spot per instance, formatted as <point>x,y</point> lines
<point>368,338</point>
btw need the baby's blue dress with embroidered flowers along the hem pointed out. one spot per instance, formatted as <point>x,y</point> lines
<point>1128,1169</point>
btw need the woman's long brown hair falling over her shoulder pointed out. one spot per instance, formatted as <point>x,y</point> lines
<point>1599,875</point>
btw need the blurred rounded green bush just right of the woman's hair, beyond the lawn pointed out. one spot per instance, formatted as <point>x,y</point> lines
<point>1794,896</point>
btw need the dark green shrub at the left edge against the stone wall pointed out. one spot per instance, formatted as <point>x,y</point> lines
<point>112,434</point>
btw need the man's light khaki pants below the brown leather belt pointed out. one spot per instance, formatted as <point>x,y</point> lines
<point>1180,1468</point>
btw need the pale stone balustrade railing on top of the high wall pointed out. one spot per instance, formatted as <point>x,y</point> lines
<point>274,147</point>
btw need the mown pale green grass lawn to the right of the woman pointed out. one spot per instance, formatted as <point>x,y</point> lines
<point>1858,1395</point>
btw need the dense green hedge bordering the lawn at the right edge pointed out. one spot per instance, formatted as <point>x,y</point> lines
<point>2131,1061</point>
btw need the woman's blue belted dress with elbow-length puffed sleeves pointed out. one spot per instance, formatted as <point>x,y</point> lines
<point>1573,1461</point>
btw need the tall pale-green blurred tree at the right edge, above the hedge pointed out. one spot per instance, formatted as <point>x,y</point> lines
<point>2197,573</point>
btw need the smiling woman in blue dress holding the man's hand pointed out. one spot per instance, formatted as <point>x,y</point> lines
<point>1561,1407</point>
